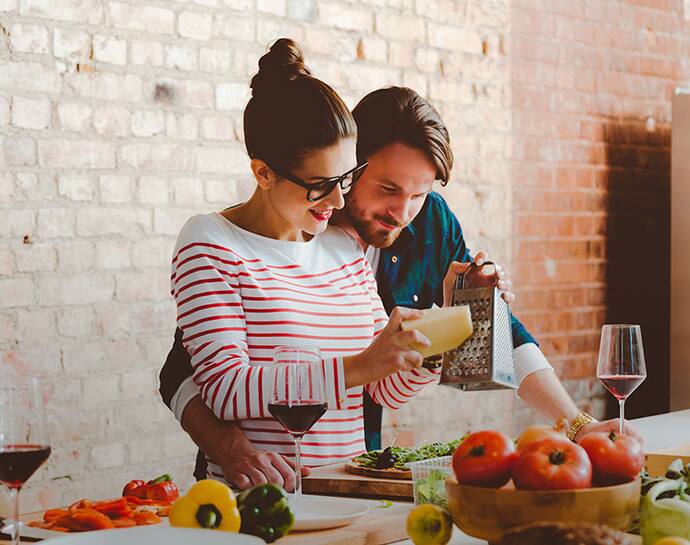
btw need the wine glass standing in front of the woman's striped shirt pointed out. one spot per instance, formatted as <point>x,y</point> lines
<point>298,396</point>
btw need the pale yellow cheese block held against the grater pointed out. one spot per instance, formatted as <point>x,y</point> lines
<point>446,328</point>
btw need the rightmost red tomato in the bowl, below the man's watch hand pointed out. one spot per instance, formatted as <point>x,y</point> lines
<point>615,458</point>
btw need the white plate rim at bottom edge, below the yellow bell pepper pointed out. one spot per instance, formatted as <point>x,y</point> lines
<point>156,535</point>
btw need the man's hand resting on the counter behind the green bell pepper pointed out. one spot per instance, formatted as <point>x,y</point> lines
<point>246,467</point>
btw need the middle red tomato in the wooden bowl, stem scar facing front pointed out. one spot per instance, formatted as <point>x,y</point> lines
<point>552,464</point>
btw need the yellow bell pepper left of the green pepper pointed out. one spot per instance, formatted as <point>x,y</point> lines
<point>208,504</point>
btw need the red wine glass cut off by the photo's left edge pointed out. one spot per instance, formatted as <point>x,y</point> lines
<point>23,437</point>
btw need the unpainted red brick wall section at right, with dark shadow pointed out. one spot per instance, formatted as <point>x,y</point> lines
<point>592,82</point>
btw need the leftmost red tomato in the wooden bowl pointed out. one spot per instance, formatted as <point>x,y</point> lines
<point>484,458</point>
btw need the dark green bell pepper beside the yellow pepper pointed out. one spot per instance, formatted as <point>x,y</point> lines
<point>265,512</point>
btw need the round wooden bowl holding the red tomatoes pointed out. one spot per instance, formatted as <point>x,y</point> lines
<point>487,513</point>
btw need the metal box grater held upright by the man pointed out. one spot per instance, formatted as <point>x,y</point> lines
<point>485,360</point>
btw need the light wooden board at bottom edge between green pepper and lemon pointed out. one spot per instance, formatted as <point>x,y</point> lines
<point>379,527</point>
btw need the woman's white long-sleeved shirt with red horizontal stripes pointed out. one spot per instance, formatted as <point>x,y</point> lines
<point>239,295</point>
